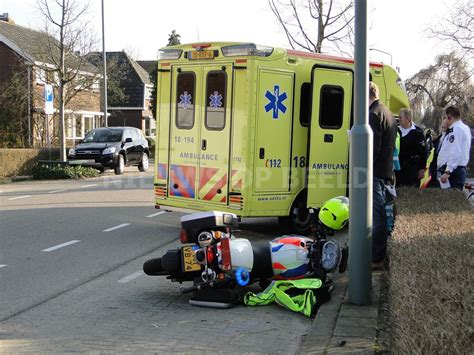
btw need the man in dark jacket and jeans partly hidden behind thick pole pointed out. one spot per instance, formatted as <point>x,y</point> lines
<point>385,131</point>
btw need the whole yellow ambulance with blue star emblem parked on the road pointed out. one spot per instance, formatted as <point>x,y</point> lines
<point>255,130</point>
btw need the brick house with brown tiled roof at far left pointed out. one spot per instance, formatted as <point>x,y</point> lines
<point>25,51</point>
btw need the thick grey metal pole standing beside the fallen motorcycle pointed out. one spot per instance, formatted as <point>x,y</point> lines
<point>360,168</point>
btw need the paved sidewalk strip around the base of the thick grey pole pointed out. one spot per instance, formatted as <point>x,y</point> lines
<point>341,328</point>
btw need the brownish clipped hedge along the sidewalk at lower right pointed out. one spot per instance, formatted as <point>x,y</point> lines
<point>431,269</point>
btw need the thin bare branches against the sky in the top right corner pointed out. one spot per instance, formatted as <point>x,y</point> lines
<point>457,26</point>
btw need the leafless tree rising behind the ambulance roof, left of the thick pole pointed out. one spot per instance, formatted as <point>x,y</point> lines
<point>317,25</point>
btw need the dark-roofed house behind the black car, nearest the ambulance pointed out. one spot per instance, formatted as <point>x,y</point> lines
<point>129,91</point>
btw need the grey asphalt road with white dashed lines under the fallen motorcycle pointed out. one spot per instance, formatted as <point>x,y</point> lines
<point>71,254</point>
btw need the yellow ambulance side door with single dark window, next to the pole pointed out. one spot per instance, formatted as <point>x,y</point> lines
<point>328,141</point>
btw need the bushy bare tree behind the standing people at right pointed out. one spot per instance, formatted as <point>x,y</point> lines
<point>447,82</point>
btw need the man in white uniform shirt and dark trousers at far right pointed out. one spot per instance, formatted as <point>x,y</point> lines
<point>453,154</point>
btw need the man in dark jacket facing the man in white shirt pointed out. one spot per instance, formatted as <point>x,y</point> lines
<point>413,152</point>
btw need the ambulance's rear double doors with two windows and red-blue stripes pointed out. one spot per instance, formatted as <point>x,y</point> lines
<point>200,132</point>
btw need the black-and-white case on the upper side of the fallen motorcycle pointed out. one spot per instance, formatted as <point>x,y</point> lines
<point>196,222</point>
